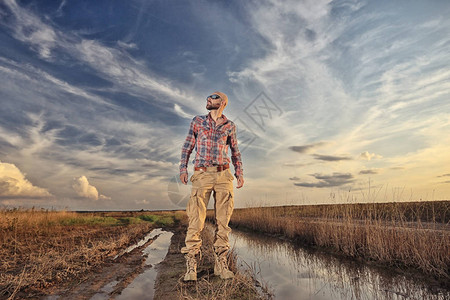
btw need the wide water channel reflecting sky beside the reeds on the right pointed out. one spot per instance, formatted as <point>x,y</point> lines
<point>295,273</point>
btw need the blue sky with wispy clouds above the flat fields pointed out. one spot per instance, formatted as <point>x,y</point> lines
<point>334,101</point>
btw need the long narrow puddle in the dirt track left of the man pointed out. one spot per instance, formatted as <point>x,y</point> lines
<point>142,287</point>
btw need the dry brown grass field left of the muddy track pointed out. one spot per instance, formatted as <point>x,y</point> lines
<point>41,248</point>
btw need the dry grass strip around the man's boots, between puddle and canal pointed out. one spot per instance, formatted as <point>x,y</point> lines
<point>209,286</point>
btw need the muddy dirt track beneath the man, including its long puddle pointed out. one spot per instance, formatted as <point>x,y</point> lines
<point>154,269</point>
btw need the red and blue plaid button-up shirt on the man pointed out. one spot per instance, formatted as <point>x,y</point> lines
<point>211,141</point>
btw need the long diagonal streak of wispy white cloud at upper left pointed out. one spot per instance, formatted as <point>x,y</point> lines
<point>113,64</point>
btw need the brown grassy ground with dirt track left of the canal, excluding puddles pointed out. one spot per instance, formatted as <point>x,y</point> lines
<point>71,254</point>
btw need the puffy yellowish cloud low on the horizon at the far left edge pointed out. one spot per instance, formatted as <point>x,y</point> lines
<point>13,184</point>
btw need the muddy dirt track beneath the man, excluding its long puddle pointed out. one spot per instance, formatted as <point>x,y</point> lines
<point>111,281</point>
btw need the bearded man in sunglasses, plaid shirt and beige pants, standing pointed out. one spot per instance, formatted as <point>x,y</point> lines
<point>211,135</point>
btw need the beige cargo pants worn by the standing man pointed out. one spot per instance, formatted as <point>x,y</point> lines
<point>203,184</point>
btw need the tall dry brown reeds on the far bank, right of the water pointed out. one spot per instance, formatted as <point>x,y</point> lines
<point>413,234</point>
